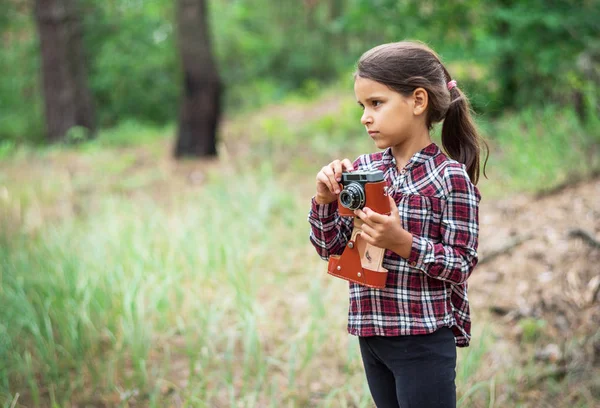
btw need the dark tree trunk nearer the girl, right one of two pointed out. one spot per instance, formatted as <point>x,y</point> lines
<point>201,101</point>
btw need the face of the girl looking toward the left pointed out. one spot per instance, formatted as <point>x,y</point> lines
<point>387,115</point>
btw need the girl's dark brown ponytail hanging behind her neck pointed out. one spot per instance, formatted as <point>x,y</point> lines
<point>460,138</point>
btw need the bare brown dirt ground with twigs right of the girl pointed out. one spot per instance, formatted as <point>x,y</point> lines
<point>538,281</point>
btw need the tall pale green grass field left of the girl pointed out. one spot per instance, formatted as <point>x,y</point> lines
<point>214,299</point>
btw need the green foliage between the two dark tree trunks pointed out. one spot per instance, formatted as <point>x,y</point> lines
<point>133,60</point>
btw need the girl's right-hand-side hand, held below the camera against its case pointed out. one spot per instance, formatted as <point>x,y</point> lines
<point>385,231</point>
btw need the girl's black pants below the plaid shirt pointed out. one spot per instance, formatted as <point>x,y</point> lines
<point>411,371</point>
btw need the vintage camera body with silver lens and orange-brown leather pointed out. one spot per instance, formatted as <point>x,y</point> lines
<point>363,189</point>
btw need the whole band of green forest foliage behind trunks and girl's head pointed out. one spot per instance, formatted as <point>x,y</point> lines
<point>505,53</point>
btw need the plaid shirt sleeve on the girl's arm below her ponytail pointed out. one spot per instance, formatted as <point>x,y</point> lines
<point>454,258</point>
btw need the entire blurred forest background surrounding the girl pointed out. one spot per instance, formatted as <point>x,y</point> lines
<point>157,160</point>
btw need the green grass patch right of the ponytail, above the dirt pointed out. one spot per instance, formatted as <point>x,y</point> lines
<point>538,149</point>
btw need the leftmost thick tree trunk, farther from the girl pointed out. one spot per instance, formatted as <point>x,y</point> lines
<point>67,97</point>
